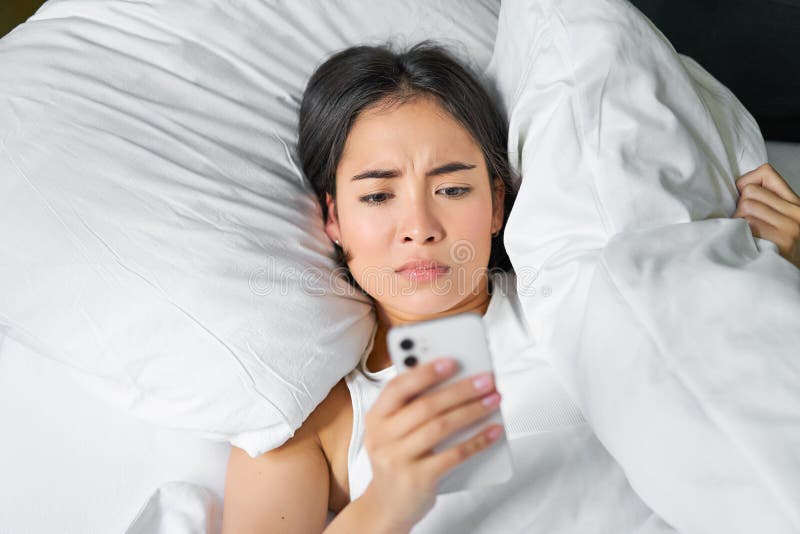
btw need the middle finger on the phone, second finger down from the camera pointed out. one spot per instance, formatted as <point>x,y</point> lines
<point>433,404</point>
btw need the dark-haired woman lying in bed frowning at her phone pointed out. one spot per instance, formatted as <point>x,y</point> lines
<point>407,154</point>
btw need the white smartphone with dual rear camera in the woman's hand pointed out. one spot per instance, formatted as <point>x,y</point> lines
<point>463,338</point>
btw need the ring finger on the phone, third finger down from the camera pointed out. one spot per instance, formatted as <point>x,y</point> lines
<point>432,432</point>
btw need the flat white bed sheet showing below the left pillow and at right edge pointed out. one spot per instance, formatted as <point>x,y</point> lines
<point>72,464</point>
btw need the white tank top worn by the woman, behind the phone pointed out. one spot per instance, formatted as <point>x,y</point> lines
<point>534,402</point>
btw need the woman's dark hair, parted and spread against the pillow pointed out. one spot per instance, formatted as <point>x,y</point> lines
<point>359,77</point>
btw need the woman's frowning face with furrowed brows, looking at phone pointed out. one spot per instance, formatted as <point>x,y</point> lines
<point>412,185</point>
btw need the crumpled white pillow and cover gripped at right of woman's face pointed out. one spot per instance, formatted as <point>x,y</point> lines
<point>637,286</point>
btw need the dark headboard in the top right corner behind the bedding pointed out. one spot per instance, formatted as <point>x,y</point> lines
<point>752,46</point>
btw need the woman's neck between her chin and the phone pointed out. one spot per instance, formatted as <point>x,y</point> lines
<point>388,317</point>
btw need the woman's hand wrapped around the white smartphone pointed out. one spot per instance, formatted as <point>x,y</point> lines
<point>405,424</point>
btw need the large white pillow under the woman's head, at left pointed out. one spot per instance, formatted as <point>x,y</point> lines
<point>157,235</point>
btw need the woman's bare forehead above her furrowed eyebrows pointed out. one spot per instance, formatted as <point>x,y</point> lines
<point>420,129</point>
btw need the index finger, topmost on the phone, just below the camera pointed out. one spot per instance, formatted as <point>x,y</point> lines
<point>404,387</point>
